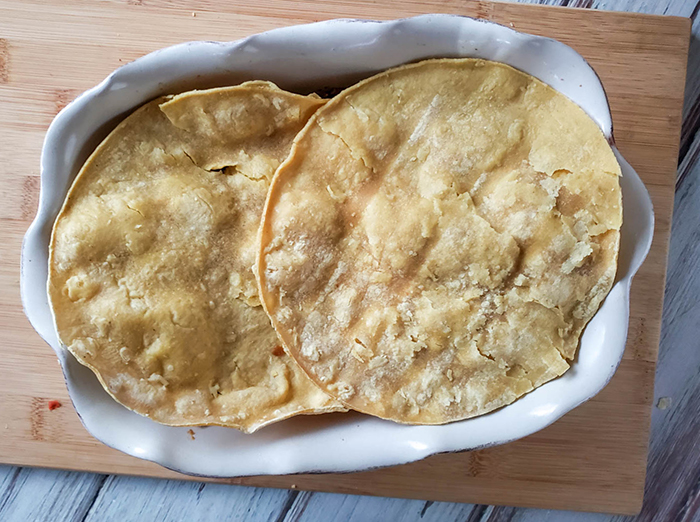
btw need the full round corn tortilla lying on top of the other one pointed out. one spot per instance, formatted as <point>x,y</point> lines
<point>438,238</point>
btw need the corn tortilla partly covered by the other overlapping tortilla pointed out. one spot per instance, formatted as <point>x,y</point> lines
<point>150,268</point>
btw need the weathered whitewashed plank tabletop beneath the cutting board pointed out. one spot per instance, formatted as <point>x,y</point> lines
<point>673,478</point>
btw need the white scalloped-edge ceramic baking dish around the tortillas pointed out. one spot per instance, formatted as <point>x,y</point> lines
<point>305,58</point>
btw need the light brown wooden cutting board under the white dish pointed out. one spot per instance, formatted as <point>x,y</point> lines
<point>592,459</point>
